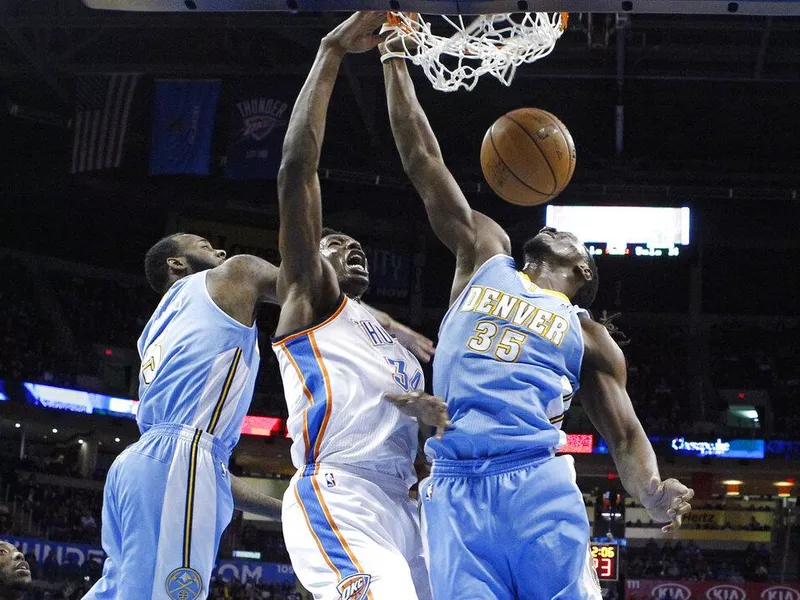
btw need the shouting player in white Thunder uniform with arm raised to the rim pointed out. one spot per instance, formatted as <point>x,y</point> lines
<point>351,529</point>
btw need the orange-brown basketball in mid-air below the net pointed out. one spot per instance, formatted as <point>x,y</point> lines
<point>528,156</point>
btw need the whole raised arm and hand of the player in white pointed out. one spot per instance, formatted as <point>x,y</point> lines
<point>307,284</point>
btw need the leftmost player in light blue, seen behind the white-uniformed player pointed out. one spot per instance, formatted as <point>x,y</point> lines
<point>169,496</point>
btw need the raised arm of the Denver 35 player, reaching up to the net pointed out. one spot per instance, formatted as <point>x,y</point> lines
<point>470,235</point>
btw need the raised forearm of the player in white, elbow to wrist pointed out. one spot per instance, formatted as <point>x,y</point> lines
<point>303,142</point>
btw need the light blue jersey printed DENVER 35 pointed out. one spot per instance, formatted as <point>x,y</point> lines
<point>507,364</point>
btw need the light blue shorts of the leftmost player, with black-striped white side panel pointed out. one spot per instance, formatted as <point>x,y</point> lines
<point>166,502</point>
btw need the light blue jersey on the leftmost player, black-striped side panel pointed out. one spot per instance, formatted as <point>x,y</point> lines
<point>199,364</point>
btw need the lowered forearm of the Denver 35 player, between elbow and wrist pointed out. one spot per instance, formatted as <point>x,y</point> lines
<point>634,457</point>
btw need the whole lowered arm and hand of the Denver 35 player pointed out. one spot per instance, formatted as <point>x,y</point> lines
<point>606,401</point>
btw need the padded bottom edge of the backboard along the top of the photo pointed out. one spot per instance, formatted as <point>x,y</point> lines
<point>464,7</point>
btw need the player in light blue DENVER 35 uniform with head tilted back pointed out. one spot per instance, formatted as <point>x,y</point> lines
<point>505,518</point>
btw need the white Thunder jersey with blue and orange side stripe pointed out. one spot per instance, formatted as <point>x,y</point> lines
<point>335,375</point>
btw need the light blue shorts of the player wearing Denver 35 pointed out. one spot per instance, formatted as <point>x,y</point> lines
<point>508,528</point>
